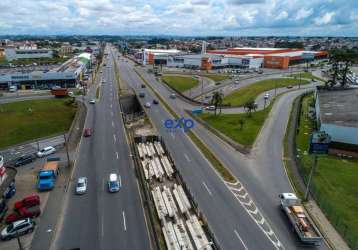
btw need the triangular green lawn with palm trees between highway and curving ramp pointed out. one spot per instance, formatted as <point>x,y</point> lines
<point>228,124</point>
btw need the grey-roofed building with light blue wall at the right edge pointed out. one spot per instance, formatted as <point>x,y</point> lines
<point>337,115</point>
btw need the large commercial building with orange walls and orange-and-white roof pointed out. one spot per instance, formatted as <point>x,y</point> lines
<point>274,57</point>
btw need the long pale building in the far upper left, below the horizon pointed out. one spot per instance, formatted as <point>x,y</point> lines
<point>12,53</point>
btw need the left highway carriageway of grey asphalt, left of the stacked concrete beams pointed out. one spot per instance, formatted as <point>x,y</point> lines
<point>98,219</point>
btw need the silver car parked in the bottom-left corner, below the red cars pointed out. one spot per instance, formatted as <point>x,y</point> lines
<point>16,228</point>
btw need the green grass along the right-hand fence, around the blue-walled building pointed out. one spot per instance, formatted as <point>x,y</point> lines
<point>335,180</point>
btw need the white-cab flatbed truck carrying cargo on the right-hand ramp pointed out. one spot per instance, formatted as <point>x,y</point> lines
<point>299,219</point>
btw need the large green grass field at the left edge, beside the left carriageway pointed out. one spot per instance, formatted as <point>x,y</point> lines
<point>28,120</point>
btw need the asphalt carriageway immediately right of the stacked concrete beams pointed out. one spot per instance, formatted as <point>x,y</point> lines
<point>231,223</point>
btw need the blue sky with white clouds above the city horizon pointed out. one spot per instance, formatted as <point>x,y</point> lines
<point>180,17</point>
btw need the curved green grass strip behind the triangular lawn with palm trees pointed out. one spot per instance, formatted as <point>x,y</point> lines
<point>245,94</point>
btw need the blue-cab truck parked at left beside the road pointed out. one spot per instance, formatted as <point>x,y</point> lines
<point>47,176</point>
